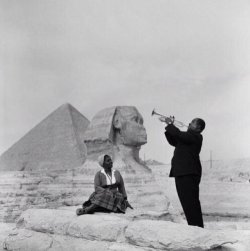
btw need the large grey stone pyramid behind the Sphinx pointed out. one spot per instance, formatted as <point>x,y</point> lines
<point>55,143</point>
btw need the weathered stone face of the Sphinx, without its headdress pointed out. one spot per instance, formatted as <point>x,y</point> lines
<point>129,124</point>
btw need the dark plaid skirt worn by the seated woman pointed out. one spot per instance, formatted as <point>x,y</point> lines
<point>107,199</point>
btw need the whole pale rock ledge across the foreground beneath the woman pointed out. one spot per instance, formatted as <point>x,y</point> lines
<point>43,229</point>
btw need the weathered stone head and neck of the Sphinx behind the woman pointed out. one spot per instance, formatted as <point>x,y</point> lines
<point>118,131</point>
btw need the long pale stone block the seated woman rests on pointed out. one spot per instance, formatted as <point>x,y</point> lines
<point>105,227</point>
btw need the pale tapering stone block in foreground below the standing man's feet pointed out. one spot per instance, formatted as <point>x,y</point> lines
<point>171,236</point>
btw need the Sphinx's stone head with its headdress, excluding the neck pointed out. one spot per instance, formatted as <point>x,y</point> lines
<point>115,126</point>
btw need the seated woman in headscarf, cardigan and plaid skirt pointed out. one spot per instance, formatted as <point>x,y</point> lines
<point>110,194</point>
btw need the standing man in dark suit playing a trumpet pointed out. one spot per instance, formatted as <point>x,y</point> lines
<point>186,166</point>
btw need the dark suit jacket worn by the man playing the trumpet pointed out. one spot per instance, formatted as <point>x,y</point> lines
<point>187,145</point>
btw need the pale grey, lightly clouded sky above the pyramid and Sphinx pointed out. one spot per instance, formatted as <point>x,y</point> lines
<point>187,58</point>
